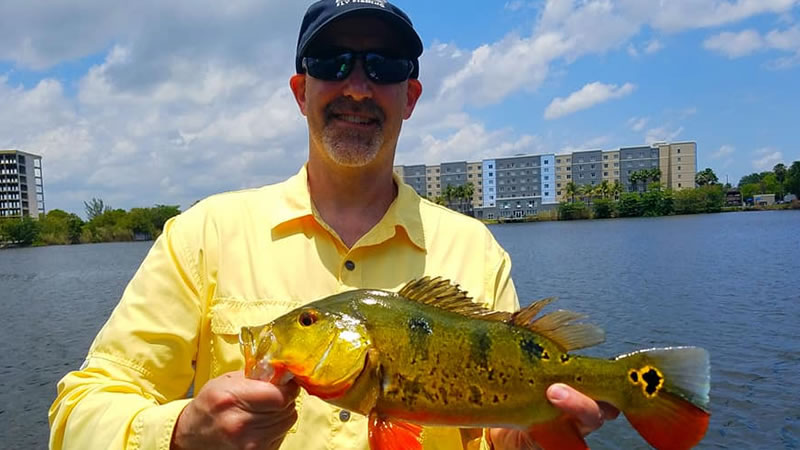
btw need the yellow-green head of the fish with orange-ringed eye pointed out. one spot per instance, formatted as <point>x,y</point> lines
<point>323,351</point>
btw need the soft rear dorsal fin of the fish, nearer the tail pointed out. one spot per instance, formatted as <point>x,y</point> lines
<point>558,326</point>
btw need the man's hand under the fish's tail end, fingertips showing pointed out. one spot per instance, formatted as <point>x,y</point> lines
<point>588,414</point>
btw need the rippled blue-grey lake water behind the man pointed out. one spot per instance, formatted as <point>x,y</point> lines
<point>726,282</point>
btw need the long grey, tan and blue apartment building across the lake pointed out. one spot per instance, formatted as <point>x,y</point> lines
<point>522,185</point>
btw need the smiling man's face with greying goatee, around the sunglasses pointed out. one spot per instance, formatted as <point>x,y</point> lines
<point>351,121</point>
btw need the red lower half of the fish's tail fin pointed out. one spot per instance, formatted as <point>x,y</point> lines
<point>670,422</point>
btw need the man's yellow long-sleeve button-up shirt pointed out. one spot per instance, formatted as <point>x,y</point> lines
<point>244,258</point>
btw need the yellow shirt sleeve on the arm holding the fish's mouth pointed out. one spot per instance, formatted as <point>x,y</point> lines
<point>133,385</point>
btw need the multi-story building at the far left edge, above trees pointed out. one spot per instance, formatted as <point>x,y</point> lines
<point>21,188</point>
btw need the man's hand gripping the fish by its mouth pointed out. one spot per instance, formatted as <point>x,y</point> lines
<point>233,412</point>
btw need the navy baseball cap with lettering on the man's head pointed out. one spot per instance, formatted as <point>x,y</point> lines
<point>325,12</point>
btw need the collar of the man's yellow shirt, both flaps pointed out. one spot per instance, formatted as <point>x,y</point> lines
<point>404,212</point>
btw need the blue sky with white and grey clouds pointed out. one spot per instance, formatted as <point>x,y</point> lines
<point>168,102</point>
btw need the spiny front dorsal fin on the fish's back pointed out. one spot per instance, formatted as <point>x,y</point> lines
<point>443,294</point>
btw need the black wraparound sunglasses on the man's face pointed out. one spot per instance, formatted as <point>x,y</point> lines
<point>381,69</point>
